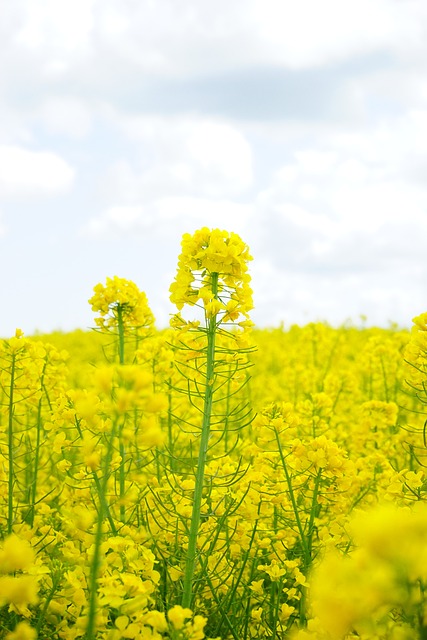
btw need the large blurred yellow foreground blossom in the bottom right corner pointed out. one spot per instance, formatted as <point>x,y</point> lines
<point>360,591</point>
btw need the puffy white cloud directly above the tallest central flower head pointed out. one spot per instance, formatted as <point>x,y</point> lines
<point>199,156</point>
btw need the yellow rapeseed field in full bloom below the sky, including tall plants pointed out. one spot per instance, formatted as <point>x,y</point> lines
<point>212,480</point>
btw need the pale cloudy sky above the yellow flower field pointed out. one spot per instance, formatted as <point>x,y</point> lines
<point>301,126</point>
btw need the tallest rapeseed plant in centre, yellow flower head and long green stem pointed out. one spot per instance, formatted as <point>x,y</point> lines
<point>212,275</point>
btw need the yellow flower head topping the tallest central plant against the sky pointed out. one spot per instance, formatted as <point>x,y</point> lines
<point>205,253</point>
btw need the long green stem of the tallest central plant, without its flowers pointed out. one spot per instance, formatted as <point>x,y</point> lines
<point>190,562</point>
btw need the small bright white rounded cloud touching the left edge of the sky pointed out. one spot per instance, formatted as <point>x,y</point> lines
<point>33,173</point>
